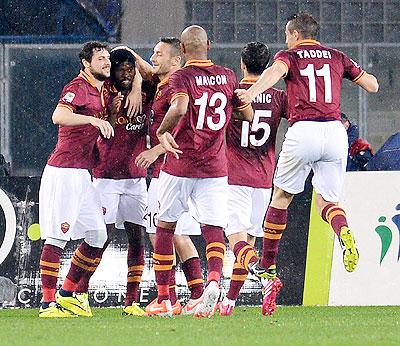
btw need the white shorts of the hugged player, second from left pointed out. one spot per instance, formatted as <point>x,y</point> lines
<point>124,200</point>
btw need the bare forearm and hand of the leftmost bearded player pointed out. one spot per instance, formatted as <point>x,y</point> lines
<point>65,117</point>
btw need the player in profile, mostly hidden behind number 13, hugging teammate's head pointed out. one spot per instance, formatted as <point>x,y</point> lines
<point>166,60</point>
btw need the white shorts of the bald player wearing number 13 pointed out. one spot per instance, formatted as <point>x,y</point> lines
<point>209,198</point>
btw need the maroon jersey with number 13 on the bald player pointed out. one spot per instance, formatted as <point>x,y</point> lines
<point>200,134</point>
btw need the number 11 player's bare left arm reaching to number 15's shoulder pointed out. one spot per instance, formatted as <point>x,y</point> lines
<point>268,79</point>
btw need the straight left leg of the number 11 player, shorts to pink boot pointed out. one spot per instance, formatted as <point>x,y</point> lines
<point>300,148</point>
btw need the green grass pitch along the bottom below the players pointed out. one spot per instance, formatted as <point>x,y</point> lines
<point>289,326</point>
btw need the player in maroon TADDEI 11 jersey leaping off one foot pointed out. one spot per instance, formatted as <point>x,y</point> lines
<point>316,140</point>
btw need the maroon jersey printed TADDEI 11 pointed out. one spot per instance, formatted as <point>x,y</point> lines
<point>314,80</point>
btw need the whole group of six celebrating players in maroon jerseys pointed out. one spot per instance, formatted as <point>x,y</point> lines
<point>212,157</point>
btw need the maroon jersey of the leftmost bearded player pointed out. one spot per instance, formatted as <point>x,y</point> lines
<point>76,145</point>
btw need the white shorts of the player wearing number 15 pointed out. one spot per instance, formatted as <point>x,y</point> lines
<point>246,210</point>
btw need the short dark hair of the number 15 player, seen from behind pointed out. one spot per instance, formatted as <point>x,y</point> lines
<point>255,56</point>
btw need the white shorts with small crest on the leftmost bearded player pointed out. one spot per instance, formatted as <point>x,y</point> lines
<point>69,205</point>
